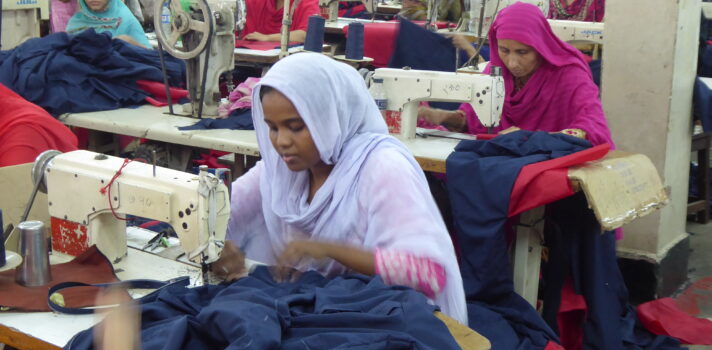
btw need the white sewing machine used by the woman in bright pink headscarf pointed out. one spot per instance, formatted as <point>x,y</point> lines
<point>406,88</point>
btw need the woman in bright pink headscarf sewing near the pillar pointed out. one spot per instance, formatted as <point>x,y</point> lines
<point>548,83</point>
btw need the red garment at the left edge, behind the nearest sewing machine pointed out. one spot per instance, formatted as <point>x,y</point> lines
<point>26,130</point>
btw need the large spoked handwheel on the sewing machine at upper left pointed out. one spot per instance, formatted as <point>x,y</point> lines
<point>181,24</point>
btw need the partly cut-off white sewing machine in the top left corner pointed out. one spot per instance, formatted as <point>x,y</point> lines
<point>21,21</point>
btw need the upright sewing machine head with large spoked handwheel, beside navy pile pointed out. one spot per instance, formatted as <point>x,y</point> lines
<point>201,33</point>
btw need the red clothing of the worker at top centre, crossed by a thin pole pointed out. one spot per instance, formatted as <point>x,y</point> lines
<point>263,17</point>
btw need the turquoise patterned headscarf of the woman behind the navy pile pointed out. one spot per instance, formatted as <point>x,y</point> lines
<point>117,20</point>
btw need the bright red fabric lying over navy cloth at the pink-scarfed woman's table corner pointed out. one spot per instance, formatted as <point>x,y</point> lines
<point>546,182</point>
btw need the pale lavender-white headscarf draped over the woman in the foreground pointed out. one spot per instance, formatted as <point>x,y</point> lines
<point>347,128</point>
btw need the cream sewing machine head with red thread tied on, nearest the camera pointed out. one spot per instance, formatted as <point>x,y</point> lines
<point>87,191</point>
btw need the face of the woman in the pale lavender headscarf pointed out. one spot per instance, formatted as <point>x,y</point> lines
<point>288,133</point>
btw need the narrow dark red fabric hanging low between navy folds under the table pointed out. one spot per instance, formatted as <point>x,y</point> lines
<point>571,316</point>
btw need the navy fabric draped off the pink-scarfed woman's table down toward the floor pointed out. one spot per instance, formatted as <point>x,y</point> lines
<point>481,175</point>
